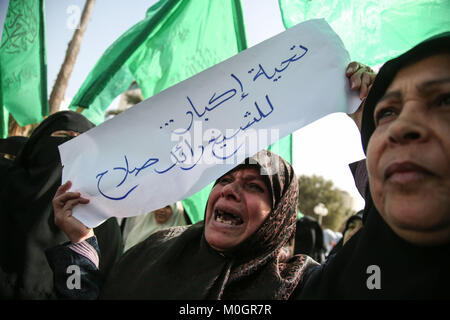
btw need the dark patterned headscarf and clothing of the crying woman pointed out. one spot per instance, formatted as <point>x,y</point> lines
<point>178,263</point>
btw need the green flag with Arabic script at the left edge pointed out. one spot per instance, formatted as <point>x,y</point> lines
<point>23,74</point>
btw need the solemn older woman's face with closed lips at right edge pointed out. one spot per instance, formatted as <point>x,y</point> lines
<point>408,155</point>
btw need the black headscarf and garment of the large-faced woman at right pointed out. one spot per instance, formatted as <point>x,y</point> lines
<point>405,271</point>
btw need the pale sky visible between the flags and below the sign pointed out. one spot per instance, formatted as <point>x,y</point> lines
<point>323,148</point>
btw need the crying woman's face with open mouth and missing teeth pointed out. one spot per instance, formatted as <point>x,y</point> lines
<point>237,206</point>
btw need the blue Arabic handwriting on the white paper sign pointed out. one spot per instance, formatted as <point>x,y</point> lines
<point>184,155</point>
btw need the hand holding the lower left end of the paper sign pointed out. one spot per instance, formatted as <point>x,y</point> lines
<point>63,203</point>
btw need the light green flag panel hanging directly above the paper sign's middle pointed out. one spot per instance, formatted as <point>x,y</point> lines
<point>198,36</point>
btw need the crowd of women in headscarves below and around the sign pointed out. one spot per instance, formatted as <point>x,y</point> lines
<point>250,244</point>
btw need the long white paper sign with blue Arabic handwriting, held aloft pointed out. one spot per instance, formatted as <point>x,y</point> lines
<point>172,145</point>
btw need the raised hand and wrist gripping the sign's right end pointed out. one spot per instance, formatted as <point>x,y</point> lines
<point>361,78</point>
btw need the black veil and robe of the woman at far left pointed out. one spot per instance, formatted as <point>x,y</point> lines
<point>26,214</point>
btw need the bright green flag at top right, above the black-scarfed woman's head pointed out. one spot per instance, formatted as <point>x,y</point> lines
<point>377,30</point>
